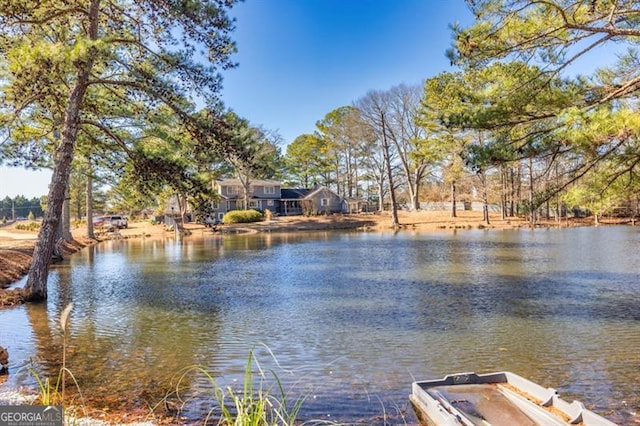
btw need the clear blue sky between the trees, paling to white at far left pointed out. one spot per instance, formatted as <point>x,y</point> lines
<point>300,59</point>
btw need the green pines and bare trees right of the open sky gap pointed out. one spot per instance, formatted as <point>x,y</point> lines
<point>511,126</point>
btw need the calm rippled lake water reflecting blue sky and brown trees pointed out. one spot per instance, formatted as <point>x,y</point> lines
<point>349,319</point>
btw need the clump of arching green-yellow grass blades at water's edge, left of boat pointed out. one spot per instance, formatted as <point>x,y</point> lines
<point>255,404</point>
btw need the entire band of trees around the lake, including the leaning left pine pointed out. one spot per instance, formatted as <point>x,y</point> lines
<point>107,94</point>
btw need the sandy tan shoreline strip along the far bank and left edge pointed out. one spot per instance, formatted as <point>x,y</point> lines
<point>16,246</point>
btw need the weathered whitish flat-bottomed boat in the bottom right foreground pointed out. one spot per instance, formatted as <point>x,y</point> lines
<point>497,399</point>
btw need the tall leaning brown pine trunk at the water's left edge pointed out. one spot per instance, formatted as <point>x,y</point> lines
<point>36,287</point>
